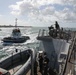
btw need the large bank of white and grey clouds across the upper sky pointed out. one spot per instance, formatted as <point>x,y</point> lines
<point>46,10</point>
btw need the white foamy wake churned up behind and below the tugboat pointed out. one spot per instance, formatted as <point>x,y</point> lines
<point>9,48</point>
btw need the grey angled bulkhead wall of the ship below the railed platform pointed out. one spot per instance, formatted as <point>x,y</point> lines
<point>56,49</point>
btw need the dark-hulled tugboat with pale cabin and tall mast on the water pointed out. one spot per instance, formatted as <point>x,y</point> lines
<point>16,36</point>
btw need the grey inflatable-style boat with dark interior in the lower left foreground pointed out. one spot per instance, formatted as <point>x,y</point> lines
<point>18,63</point>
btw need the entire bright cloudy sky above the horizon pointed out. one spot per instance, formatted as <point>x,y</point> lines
<point>42,13</point>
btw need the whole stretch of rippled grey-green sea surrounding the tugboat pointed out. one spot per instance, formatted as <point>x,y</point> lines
<point>8,48</point>
